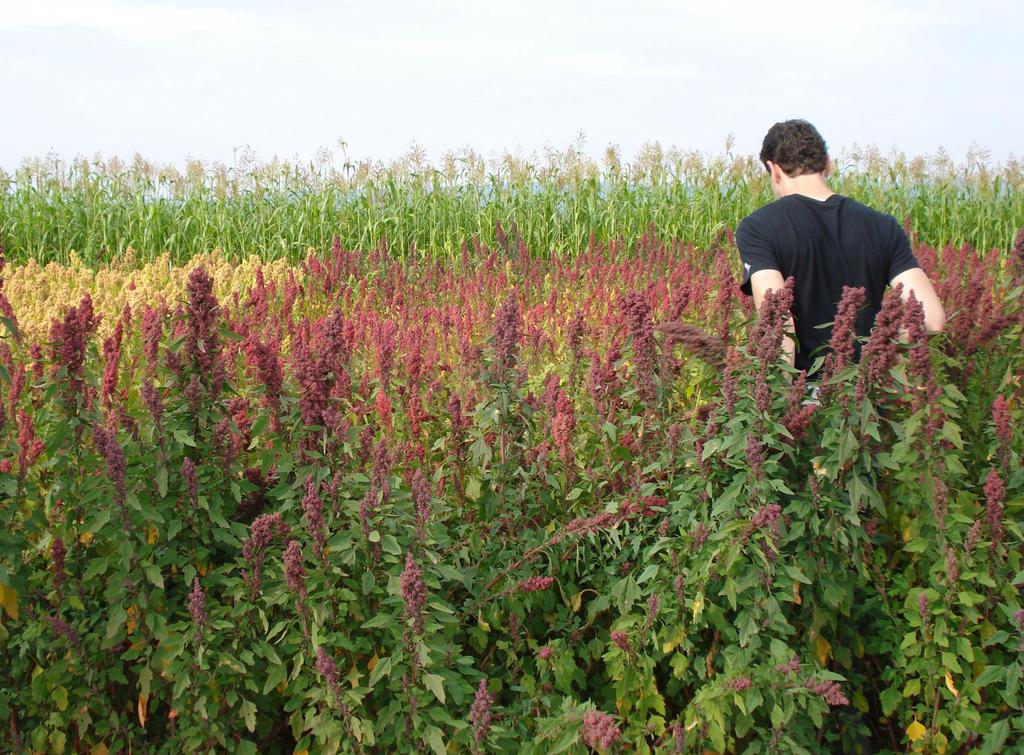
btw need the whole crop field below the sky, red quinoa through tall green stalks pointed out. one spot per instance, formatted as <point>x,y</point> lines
<point>493,456</point>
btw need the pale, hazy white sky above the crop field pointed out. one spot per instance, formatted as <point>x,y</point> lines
<point>203,80</point>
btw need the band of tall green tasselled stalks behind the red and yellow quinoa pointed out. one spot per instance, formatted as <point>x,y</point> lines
<point>565,201</point>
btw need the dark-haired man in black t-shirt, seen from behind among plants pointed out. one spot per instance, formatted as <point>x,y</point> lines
<point>826,242</point>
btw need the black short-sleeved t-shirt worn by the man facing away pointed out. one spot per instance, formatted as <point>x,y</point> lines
<point>825,245</point>
